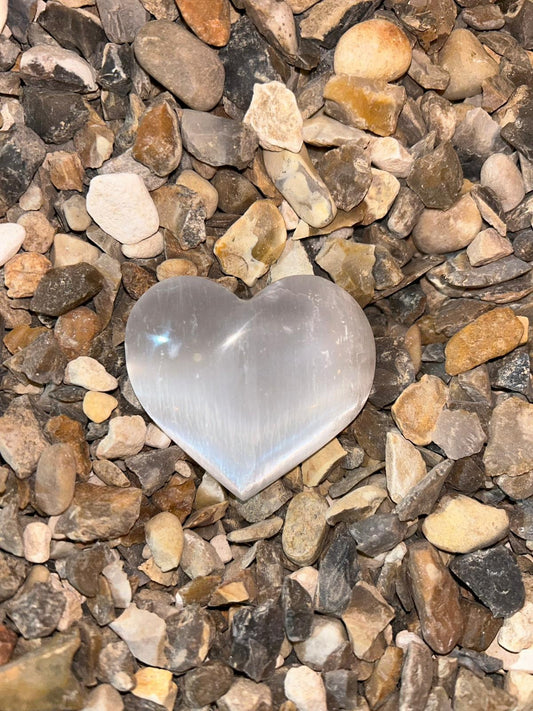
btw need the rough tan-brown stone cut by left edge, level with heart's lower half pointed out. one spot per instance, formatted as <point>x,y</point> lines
<point>18,426</point>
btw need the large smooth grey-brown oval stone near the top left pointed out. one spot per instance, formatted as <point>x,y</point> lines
<point>181,63</point>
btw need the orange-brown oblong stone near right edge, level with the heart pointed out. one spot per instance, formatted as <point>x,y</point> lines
<point>491,335</point>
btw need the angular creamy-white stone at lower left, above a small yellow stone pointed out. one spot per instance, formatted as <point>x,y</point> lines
<point>144,633</point>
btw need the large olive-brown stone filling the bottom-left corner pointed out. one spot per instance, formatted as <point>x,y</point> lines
<point>46,675</point>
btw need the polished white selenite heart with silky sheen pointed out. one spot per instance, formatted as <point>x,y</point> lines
<point>249,389</point>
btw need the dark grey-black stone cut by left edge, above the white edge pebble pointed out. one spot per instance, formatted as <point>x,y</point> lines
<point>21,153</point>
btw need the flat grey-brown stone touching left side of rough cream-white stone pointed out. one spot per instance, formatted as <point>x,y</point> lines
<point>217,141</point>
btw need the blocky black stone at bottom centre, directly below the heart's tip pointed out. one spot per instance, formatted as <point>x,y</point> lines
<point>256,638</point>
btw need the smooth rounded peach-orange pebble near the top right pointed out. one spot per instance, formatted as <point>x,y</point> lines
<point>375,49</point>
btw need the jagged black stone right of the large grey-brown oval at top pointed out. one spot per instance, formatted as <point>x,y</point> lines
<point>248,59</point>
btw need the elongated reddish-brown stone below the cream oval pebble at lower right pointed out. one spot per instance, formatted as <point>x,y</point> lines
<point>436,596</point>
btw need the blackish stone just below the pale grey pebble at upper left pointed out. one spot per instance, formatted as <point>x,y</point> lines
<point>54,115</point>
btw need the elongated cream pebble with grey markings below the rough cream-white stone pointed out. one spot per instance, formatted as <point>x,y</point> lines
<point>297,180</point>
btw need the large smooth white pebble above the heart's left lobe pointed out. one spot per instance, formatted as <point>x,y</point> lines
<point>121,205</point>
